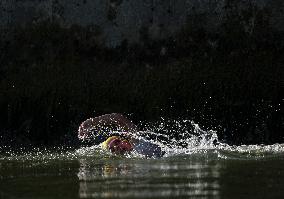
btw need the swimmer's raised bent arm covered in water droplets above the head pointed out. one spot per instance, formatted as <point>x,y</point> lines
<point>106,120</point>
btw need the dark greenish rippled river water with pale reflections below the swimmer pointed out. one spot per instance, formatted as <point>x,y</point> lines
<point>202,169</point>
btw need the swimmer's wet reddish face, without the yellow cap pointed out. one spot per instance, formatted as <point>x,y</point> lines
<point>119,146</point>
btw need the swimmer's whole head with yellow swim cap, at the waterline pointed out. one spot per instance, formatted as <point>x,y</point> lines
<point>117,145</point>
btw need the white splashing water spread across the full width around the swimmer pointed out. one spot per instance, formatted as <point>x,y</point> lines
<point>175,138</point>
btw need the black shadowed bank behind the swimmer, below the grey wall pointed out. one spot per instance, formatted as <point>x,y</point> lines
<point>52,78</point>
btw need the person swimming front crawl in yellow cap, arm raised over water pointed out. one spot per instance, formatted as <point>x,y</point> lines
<point>119,144</point>
